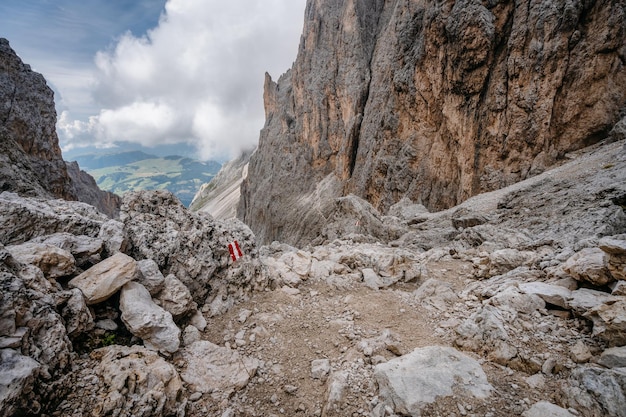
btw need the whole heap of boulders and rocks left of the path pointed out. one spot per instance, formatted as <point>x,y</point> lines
<point>70,275</point>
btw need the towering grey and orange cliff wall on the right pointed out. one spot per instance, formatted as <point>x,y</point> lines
<point>433,101</point>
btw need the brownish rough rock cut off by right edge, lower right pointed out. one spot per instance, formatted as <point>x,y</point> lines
<point>609,322</point>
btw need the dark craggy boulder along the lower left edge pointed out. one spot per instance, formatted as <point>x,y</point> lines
<point>34,334</point>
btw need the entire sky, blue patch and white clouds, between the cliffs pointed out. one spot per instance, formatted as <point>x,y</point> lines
<point>156,72</point>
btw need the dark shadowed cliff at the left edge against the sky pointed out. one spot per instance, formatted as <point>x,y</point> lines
<point>31,163</point>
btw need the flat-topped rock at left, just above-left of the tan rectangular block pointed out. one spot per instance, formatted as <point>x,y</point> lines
<point>53,261</point>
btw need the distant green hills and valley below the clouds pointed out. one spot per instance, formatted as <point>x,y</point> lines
<point>136,170</point>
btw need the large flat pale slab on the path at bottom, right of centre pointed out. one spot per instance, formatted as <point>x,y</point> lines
<point>412,381</point>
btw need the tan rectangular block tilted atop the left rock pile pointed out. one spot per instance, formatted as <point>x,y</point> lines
<point>104,279</point>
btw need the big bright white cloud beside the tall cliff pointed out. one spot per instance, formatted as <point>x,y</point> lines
<point>195,78</point>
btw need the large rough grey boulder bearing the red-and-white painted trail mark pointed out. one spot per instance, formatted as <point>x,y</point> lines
<point>193,247</point>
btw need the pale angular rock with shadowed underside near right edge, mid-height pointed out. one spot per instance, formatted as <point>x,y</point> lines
<point>590,265</point>
